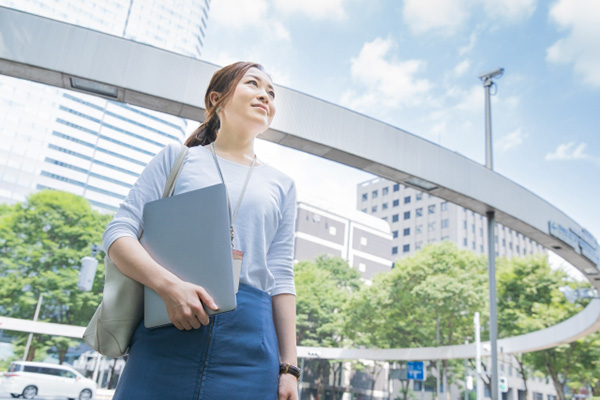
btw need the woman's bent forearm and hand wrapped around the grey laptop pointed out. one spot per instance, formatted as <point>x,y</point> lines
<point>183,299</point>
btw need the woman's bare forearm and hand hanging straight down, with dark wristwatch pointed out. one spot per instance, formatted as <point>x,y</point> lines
<point>284,318</point>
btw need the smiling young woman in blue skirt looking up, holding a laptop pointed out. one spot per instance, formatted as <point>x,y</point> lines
<point>249,353</point>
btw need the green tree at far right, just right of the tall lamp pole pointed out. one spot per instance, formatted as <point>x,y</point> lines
<point>529,299</point>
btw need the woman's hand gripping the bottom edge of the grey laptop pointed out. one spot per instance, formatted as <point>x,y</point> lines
<point>184,303</point>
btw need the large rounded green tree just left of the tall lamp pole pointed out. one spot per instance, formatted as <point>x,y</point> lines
<point>438,285</point>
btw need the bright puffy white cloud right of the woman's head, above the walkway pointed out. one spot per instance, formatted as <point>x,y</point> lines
<point>388,82</point>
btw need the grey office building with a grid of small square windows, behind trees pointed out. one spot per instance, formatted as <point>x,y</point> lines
<point>417,218</point>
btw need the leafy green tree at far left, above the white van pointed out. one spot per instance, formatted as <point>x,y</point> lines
<point>42,243</point>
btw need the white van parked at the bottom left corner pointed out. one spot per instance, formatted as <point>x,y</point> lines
<point>31,379</point>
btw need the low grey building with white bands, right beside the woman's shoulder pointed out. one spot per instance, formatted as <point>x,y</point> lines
<point>362,240</point>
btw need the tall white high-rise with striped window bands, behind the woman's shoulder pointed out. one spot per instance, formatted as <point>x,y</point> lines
<point>88,145</point>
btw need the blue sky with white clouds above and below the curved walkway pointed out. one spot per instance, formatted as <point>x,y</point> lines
<point>414,64</point>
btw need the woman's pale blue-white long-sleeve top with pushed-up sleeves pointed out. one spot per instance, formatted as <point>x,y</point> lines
<point>264,227</point>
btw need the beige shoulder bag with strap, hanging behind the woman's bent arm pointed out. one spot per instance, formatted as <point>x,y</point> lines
<point>116,318</point>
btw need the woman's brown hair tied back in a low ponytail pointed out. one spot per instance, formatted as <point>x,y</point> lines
<point>223,82</point>
